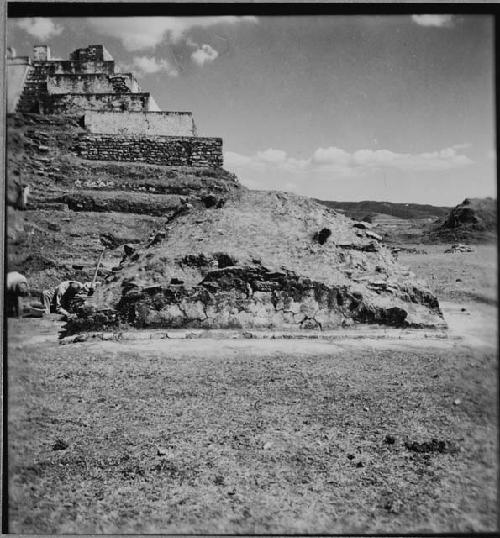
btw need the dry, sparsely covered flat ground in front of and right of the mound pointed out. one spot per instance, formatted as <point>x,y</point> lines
<point>207,435</point>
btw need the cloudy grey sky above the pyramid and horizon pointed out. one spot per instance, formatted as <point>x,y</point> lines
<point>395,108</point>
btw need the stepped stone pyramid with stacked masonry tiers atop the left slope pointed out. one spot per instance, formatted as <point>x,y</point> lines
<point>123,121</point>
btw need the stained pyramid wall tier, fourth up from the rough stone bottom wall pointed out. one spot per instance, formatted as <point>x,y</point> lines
<point>90,83</point>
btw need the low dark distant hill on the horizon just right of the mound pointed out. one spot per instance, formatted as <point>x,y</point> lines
<point>367,209</point>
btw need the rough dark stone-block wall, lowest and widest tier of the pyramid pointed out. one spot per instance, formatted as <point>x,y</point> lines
<point>163,150</point>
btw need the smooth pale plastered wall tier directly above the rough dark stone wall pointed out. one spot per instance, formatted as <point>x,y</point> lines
<point>141,123</point>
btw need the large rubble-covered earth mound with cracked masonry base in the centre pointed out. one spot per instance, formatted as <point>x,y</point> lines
<point>264,260</point>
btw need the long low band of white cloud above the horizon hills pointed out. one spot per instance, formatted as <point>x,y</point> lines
<point>341,163</point>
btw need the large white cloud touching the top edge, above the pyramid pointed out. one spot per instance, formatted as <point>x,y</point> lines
<point>139,33</point>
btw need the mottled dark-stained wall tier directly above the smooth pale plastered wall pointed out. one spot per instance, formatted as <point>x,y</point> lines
<point>74,103</point>
